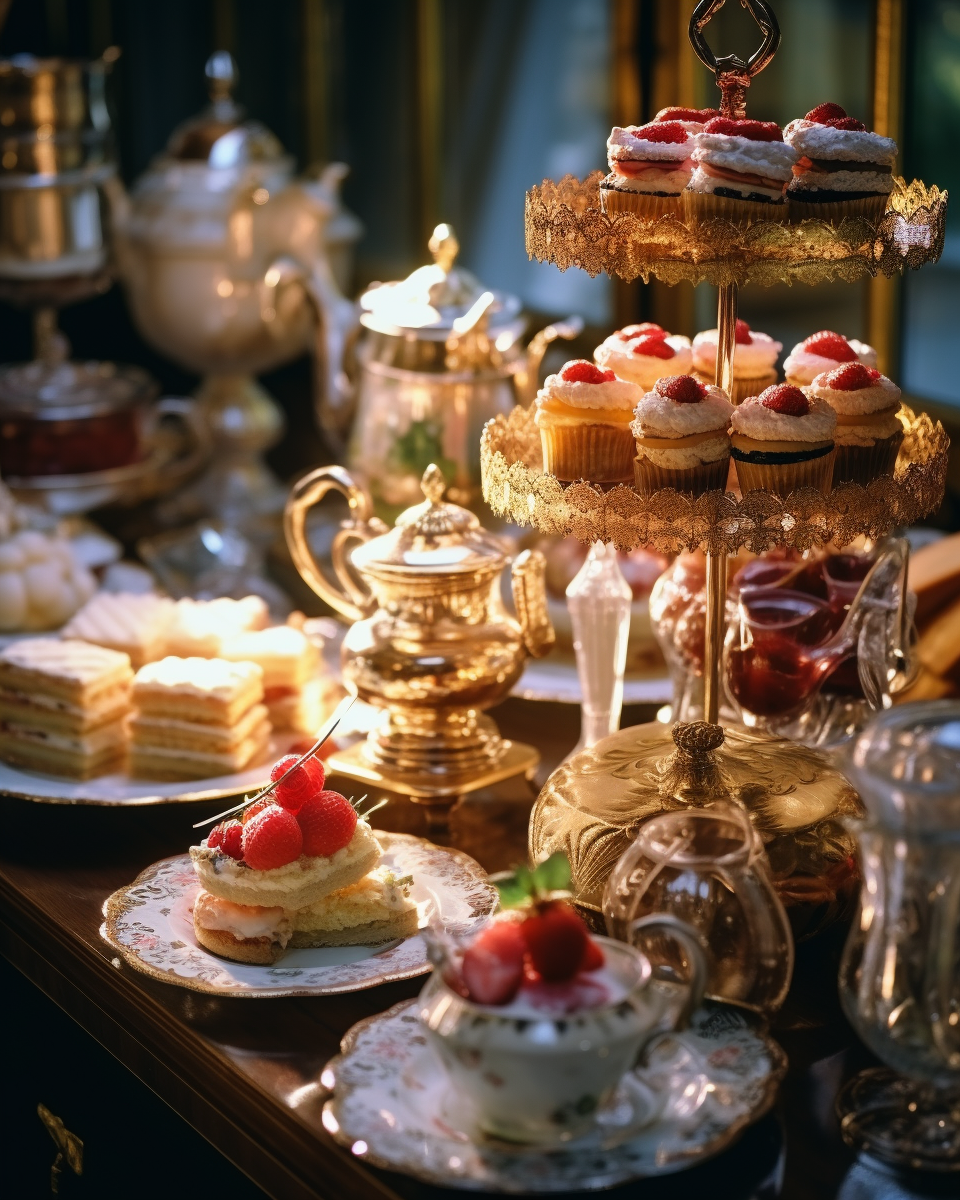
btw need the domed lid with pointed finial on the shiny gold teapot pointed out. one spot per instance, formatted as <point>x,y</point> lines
<point>433,538</point>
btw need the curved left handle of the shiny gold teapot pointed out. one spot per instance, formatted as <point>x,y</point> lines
<point>346,597</point>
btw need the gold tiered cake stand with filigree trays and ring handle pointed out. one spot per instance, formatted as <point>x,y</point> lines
<point>591,806</point>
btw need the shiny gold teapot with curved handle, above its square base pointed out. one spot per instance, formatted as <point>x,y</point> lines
<point>431,643</point>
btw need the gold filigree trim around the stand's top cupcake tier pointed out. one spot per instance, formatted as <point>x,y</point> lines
<point>567,227</point>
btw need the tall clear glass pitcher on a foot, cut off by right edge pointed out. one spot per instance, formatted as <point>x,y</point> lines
<point>901,974</point>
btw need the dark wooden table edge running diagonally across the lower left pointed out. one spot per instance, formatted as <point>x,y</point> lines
<point>125,1025</point>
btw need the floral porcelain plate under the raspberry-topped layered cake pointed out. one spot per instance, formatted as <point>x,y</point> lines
<point>151,925</point>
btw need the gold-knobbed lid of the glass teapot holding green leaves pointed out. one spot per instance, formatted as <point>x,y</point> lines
<point>429,302</point>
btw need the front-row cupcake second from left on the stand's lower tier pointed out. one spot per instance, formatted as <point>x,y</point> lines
<point>682,439</point>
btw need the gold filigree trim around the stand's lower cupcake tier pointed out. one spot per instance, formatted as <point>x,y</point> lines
<point>517,488</point>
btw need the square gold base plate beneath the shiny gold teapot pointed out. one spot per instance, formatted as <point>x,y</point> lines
<point>442,793</point>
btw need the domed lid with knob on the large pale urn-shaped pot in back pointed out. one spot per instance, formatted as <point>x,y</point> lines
<point>220,136</point>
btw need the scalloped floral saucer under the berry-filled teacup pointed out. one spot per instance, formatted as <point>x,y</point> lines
<point>393,1106</point>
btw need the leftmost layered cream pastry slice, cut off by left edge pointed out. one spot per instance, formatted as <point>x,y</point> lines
<point>63,707</point>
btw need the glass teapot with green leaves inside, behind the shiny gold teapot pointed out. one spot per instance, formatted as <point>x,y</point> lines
<point>441,357</point>
